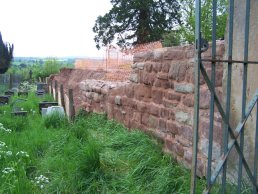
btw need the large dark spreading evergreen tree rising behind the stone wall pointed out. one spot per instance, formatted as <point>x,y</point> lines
<point>136,22</point>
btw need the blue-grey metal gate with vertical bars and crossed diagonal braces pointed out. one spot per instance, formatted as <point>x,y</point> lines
<point>232,138</point>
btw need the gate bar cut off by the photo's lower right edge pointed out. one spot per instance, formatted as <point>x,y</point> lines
<point>256,151</point>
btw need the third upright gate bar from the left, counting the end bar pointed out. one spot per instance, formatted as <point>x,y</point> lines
<point>228,95</point>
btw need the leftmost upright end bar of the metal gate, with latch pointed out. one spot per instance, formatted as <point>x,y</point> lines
<point>196,92</point>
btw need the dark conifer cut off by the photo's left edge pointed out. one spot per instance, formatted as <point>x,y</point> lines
<point>6,55</point>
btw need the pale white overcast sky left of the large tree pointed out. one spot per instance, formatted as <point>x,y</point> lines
<point>51,28</point>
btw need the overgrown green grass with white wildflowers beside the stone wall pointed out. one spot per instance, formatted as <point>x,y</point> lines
<point>90,155</point>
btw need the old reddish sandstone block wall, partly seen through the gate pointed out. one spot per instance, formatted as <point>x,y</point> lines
<point>159,99</point>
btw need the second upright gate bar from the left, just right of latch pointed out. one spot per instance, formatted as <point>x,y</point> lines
<point>214,21</point>
